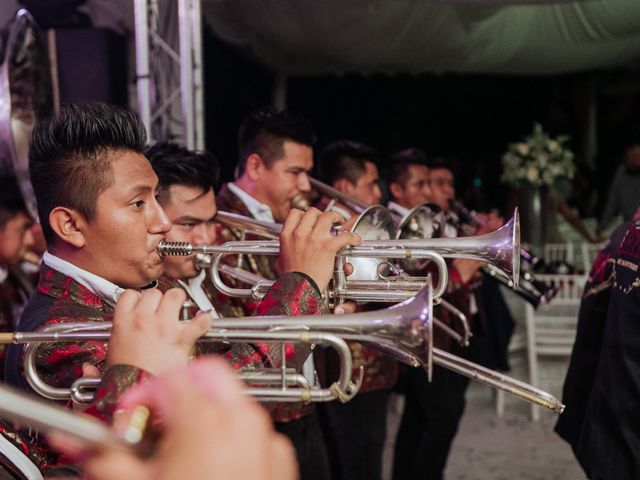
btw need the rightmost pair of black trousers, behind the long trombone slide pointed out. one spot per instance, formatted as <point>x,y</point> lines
<point>429,422</point>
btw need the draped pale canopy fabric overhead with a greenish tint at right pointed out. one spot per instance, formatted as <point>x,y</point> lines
<point>310,37</point>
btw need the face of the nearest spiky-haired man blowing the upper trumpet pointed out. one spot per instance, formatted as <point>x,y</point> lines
<point>121,239</point>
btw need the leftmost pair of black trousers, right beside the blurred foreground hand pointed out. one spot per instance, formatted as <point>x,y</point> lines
<point>306,436</point>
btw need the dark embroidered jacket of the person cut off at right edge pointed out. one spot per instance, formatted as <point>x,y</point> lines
<point>602,388</point>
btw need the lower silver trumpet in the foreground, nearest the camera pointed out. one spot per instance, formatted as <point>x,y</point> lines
<point>403,331</point>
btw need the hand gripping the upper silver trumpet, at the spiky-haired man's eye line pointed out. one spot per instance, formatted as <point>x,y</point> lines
<point>308,246</point>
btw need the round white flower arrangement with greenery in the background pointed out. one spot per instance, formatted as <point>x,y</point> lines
<point>538,160</point>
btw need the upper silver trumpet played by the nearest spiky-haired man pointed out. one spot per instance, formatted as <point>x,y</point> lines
<point>500,248</point>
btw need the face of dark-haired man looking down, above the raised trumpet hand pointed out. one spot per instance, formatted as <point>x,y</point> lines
<point>286,178</point>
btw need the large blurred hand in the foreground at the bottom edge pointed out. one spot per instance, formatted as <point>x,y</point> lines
<point>210,430</point>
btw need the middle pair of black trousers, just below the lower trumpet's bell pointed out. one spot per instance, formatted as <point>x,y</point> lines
<point>359,428</point>
